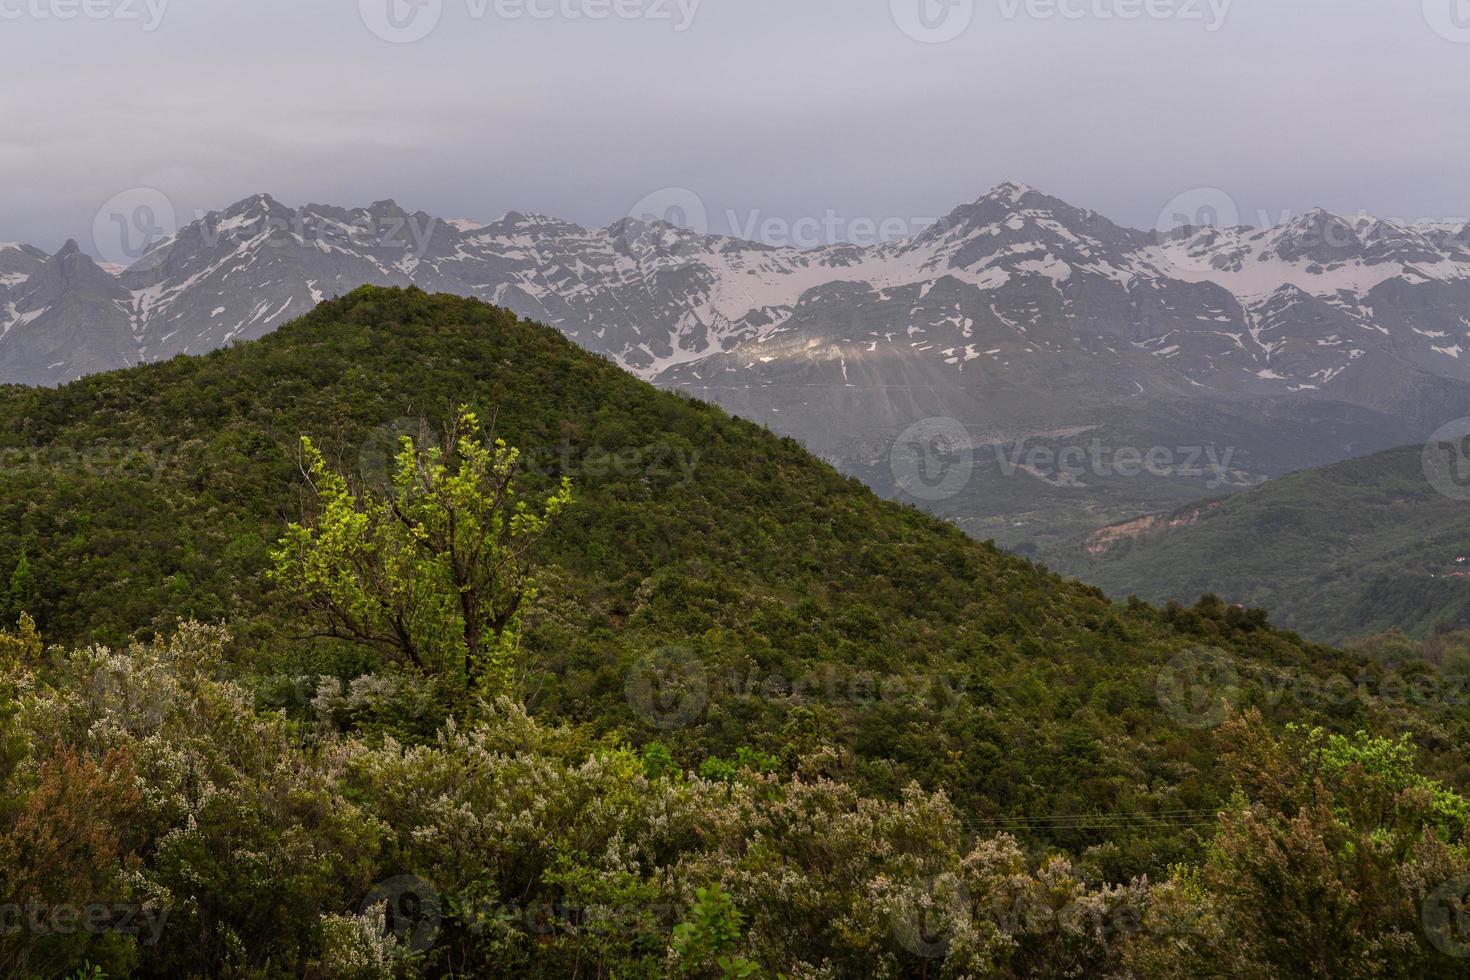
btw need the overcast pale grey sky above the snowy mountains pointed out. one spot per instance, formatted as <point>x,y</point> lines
<point>764,108</point>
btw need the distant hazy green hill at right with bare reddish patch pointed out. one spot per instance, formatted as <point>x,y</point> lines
<point>1335,553</point>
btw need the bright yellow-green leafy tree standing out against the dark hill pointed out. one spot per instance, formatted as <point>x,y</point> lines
<point>437,568</point>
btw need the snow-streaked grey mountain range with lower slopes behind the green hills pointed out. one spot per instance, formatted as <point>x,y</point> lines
<point>1024,320</point>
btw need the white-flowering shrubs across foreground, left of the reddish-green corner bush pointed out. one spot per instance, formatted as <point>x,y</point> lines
<point>499,846</point>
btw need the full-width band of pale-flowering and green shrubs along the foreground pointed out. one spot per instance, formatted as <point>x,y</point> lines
<point>229,841</point>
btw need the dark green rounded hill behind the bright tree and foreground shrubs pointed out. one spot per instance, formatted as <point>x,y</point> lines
<point>155,494</point>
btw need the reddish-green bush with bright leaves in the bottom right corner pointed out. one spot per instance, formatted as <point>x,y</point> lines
<point>1327,865</point>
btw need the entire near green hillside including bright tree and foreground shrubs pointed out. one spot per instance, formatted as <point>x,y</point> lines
<point>737,718</point>
